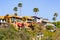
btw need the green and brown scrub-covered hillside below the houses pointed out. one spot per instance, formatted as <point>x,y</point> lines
<point>28,34</point>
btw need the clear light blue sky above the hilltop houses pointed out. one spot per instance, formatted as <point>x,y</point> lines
<point>47,8</point>
